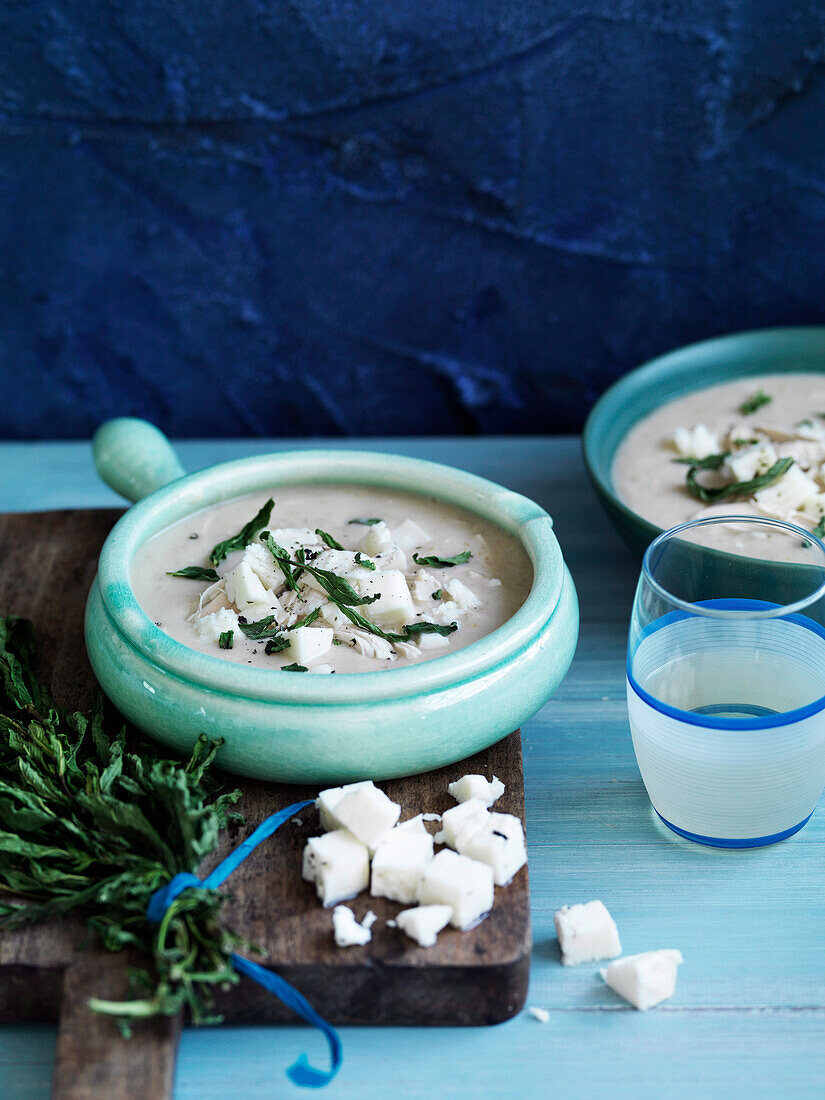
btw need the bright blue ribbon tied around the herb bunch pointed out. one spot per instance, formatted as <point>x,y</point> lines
<point>301,1073</point>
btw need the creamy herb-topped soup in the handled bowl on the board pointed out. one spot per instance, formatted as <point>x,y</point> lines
<point>332,579</point>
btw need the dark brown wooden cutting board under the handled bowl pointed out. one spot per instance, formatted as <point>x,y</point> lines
<point>48,562</point>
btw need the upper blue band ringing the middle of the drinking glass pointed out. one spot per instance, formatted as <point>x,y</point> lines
<point>690,718</point>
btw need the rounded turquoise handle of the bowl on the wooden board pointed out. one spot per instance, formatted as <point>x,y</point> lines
<point>135,458</point>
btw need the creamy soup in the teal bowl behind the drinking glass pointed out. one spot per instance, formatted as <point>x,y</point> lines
<point>755,447</point>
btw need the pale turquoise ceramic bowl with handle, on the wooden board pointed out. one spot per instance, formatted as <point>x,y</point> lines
<point>320,730</point>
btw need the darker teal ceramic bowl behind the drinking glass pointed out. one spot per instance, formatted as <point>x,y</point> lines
<point>768,351</point>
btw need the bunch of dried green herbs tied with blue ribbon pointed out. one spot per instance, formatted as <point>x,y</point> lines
<point>92,823</point>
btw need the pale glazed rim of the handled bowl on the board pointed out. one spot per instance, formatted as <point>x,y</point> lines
<point>518,515</point>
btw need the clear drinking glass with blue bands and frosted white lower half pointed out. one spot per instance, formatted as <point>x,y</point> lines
<point>727,679</point>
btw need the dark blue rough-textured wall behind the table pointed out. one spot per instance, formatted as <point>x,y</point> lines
<point>291,217</point>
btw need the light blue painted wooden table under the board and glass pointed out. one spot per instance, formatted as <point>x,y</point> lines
<point>749,1017</point>
